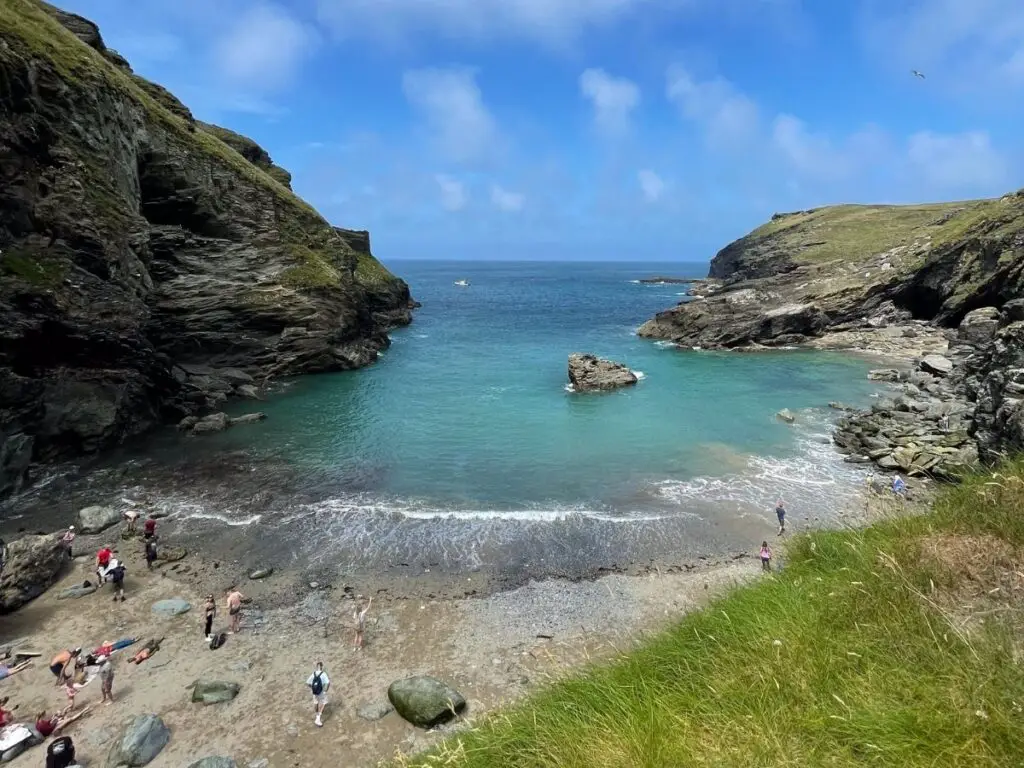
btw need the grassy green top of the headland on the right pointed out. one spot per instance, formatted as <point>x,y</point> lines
<point>855,233</point>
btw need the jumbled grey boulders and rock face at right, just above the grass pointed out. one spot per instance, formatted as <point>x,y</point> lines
<point>952,412</point>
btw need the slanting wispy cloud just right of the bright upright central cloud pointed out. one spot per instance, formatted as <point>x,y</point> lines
<point>729,116</point>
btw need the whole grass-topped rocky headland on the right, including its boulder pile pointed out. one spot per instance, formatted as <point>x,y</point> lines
<point>936,288</point>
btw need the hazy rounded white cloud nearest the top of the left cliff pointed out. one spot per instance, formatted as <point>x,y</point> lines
<point>264,49</point>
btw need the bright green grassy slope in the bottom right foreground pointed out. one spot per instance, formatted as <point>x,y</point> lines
<point>858,654</point>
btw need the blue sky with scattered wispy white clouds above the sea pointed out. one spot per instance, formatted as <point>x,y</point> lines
<point>595,130</point>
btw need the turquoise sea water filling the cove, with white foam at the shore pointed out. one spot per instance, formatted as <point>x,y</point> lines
<point>462,446</point>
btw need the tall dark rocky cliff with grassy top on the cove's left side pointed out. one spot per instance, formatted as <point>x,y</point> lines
<point>143,253</point>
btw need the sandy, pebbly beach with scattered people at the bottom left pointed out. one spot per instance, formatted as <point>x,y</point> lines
<point>489,649</point>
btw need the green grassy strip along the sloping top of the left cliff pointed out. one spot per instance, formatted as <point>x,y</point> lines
<point>29,32</point>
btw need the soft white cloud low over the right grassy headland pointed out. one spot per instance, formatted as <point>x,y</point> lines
<point>965,161</point>
